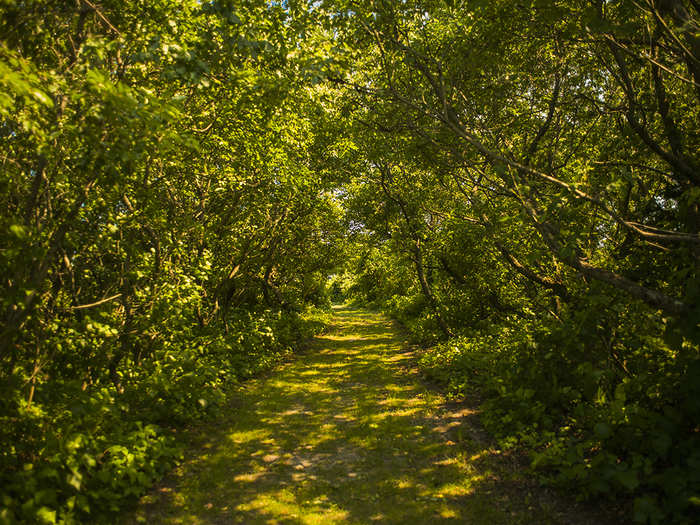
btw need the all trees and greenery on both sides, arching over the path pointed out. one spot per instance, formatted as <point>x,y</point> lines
<point>518,183</point>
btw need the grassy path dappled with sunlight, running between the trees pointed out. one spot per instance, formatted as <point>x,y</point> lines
<point>349,433</point>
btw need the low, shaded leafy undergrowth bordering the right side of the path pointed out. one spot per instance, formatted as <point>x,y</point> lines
<point>616,427</point>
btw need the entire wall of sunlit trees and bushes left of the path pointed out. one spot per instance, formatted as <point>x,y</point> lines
<point>162,231</point>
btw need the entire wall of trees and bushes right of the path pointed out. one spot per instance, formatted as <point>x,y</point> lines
<point>527,191</point>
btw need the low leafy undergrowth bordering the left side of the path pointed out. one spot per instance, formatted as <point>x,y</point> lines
<point>85,451</point>
